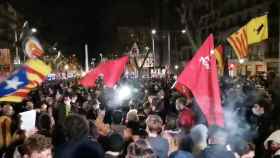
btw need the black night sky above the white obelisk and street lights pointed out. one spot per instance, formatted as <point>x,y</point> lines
<point>73,23</point>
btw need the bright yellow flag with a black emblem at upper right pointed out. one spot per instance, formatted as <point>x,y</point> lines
<point>257,29</point>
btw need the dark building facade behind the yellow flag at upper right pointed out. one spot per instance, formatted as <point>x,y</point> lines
<point>230,17</point>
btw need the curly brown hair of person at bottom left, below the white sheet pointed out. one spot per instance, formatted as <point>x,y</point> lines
<point>36,142</point>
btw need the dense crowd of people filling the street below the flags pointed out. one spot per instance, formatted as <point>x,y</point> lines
<point>154,122</point>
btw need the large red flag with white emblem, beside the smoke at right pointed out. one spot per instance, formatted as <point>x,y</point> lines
<point>200,76</point>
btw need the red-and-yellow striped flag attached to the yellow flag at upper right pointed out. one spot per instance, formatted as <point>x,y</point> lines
<point>239,42</point>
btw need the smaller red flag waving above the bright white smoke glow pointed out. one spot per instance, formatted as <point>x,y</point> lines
<point>111,70</point>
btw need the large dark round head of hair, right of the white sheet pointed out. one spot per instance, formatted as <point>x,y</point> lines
<point>75,127</point>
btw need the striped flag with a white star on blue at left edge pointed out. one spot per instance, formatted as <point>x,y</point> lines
<point>30,75</point>
